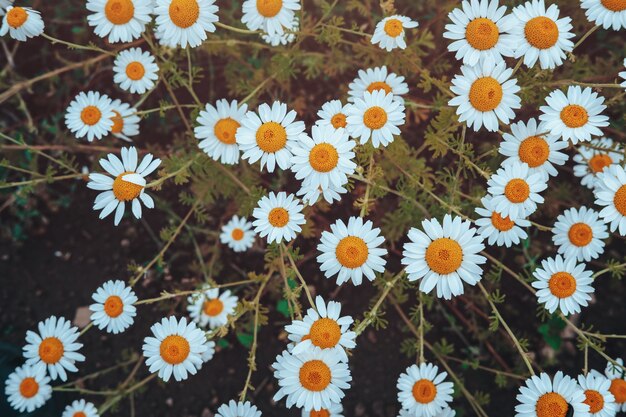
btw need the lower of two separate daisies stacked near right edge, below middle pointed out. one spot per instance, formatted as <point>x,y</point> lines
<point>563,284</point>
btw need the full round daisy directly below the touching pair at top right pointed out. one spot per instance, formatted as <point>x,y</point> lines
<point>485,94</point>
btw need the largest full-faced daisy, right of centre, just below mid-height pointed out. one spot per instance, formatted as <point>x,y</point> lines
<point>444,256</point>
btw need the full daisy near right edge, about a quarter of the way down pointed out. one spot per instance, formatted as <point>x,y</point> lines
<point>576,116</point>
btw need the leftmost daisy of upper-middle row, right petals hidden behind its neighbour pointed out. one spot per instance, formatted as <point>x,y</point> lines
<point>216,130</point>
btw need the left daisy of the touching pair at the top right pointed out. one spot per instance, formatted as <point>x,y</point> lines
<point>478,30</point>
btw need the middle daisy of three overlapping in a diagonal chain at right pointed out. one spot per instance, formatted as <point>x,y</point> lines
<point>516,191</point>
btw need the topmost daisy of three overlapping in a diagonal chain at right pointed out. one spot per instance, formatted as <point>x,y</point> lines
<point>528,143</point>
